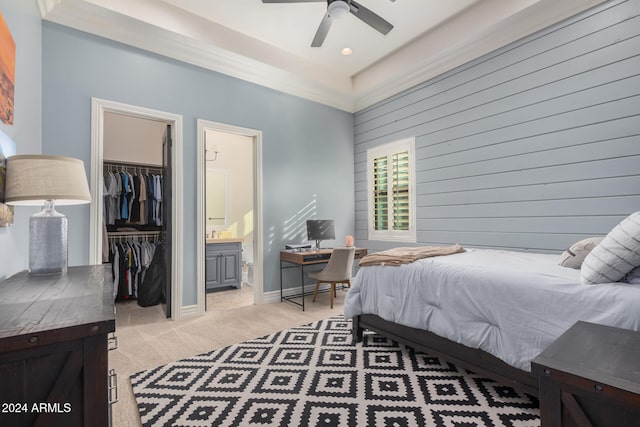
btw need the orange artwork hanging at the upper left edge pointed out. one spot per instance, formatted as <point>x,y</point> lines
<point>7,72</point>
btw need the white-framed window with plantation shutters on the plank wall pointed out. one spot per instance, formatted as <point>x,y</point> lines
<point>391,189</point>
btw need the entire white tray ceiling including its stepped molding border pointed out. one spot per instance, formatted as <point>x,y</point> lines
<point>269,44</point>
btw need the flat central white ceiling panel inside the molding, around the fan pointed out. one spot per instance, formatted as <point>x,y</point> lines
<point>291,27</point>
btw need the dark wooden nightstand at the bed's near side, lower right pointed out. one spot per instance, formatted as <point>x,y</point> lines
<point>590,376</point>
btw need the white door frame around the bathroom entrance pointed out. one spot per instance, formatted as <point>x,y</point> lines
<point>256,135</point>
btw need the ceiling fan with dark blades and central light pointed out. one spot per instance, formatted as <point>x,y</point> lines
<point>337,9</point>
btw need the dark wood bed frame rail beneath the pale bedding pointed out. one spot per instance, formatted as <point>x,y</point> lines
<point>477,361</point>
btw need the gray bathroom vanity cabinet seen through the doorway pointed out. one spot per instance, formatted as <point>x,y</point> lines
<point>223,263</point>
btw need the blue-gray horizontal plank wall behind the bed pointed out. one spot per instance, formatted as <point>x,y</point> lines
<point>531,147</point>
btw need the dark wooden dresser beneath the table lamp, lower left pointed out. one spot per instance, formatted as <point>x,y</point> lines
<point>54,334</point>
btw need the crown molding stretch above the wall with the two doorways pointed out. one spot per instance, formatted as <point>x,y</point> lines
<point>299,78</point>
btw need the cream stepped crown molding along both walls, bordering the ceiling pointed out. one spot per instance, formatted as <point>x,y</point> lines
<point>196,41</point>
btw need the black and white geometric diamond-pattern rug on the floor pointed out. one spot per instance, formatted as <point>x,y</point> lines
<point>313,375</point>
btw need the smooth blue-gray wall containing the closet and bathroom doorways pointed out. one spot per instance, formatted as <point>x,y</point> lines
<point>307,147</point>
